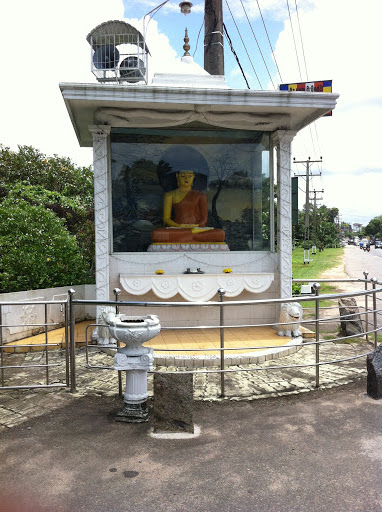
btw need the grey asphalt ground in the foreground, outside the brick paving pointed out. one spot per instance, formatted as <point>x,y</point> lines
<point>314,452</point>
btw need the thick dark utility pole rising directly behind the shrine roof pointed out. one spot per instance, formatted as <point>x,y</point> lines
<point>213,37</point>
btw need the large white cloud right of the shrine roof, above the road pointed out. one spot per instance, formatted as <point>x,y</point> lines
<point>341,43</point>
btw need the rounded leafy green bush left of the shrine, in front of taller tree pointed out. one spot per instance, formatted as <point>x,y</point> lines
<point>36,249</point>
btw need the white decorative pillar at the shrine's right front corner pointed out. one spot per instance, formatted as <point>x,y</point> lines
<point>282,140</point>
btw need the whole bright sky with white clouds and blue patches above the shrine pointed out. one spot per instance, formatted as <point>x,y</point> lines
<point>44,43</point>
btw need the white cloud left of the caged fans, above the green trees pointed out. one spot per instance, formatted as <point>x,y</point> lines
<point>46,42</point>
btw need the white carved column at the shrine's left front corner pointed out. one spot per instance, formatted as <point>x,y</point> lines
<point>101,208</point>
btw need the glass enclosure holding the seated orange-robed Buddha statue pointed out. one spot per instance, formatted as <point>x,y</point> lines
<point>229,173</point>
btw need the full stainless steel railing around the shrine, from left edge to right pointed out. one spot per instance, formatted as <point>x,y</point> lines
<point>371,319</point>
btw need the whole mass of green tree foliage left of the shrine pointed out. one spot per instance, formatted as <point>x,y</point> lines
<point>32,181</point>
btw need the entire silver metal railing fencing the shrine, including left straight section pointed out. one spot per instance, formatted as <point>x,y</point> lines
<point>372,312</point>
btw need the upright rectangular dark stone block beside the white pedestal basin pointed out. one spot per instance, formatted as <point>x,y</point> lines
<point>173,403</point>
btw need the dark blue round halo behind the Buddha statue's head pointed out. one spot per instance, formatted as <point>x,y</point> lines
<point>185,158</point>
